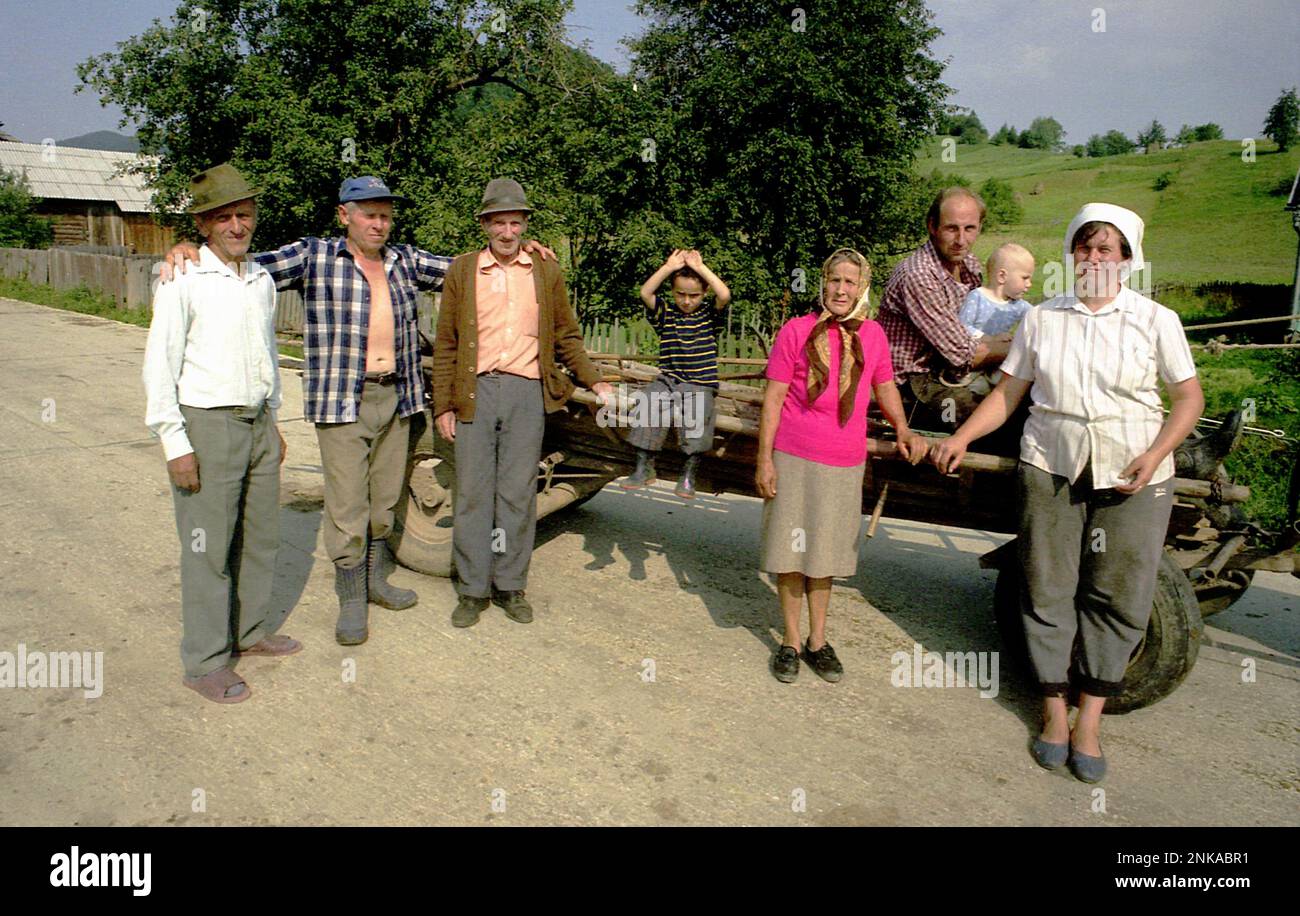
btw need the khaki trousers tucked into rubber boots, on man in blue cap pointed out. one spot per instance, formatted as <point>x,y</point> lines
<point>365,466</point>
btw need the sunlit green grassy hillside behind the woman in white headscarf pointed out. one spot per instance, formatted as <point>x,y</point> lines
<point>1216,222</point>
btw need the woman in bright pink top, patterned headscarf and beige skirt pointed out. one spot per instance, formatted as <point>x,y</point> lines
<point>813,452</point>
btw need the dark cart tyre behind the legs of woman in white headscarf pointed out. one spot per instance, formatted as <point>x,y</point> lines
<point>1162,661</point>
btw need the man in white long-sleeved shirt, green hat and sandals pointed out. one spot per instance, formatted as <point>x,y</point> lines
<point>211,375</point>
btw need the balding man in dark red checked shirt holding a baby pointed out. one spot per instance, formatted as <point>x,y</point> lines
<point>930,348</point>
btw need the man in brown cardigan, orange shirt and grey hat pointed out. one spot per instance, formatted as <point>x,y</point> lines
<point>504,331</point>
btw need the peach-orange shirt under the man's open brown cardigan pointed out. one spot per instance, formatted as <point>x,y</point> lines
<point>506,305</point>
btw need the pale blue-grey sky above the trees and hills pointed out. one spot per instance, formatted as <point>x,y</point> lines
<point>1011,60</point>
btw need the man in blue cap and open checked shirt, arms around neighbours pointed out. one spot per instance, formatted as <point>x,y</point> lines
<point>362,383</point>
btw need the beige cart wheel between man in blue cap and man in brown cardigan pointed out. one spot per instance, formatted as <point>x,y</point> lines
<point>422,532</point>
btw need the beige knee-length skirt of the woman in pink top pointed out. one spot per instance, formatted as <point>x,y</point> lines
<point>812,526</point>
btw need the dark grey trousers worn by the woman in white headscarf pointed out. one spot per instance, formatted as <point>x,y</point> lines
<point>1090,561</point>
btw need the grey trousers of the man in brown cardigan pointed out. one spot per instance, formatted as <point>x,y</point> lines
<point>496,500</point>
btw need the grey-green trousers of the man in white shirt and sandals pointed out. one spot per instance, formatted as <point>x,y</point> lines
<point>229,536</point>
